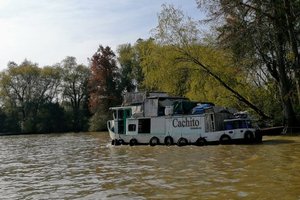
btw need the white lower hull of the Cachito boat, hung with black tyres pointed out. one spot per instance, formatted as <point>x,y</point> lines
<point>191,137</point>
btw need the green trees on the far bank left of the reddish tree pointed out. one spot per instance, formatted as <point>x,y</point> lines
<point>30,97</point>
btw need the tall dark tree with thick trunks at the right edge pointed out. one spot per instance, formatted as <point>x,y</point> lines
<point>265,31</point>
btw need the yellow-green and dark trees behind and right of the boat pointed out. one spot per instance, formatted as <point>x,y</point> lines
<point>249,60</point>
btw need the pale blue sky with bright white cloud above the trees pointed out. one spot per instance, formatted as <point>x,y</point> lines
<point>47,31</point>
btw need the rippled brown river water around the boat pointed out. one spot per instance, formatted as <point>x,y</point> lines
<point>84,166</point>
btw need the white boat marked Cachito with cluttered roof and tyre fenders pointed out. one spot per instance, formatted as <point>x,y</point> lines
<point>156,118</point>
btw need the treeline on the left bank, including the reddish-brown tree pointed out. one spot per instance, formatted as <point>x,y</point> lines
<point>66,97</point>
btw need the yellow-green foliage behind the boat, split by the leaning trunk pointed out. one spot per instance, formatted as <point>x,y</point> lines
<point>166,71</point>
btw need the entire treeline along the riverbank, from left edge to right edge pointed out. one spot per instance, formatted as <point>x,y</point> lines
<point>250,60</point>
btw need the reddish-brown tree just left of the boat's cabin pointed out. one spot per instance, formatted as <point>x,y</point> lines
<point>103,86</point>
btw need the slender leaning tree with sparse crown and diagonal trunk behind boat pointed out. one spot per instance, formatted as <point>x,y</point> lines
<point>183,34</point>
